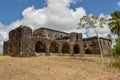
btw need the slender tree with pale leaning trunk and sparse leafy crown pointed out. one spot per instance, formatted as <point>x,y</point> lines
<point>93,22</point>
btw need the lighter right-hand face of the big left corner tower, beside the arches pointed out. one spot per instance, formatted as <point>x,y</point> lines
<point>26,42</point>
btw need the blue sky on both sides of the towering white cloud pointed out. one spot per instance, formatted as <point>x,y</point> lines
<point>11,10</point>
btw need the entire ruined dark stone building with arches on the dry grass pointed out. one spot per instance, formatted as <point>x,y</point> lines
<point>23,41</point>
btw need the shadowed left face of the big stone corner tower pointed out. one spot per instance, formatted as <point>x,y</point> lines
<point>14,44</point>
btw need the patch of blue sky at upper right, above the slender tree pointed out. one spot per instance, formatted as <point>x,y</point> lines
<point>99,6</point>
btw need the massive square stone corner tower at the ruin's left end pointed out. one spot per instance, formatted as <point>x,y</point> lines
<point>19,43</point>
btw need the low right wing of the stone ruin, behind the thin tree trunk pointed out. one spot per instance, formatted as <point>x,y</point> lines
<point>91,45</point>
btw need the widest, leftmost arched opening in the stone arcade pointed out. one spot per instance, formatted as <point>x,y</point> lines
<point>40,47</point>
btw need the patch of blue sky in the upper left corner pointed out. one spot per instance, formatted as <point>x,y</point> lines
<point>11,9</point>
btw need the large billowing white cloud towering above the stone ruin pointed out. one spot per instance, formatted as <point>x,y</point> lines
<point>57,15</point>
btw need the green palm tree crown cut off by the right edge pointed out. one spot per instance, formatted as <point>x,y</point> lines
<point>114,22</point>
